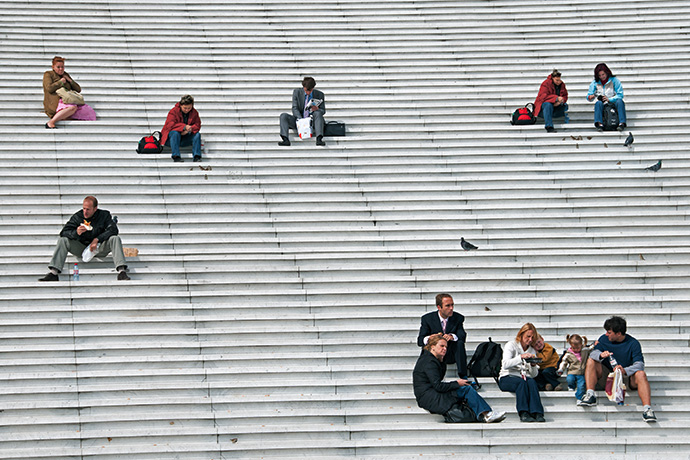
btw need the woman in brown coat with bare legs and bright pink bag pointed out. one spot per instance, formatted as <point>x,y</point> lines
<point>53,105</point>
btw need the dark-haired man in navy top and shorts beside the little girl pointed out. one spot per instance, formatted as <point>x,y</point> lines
<point>628,354</point>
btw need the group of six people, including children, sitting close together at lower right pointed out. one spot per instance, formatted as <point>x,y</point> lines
<point>443,338</point>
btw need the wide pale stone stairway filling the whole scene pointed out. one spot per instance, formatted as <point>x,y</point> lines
<point>275,299</point>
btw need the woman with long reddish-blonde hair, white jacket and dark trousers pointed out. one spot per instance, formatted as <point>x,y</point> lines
<point>517,376</point>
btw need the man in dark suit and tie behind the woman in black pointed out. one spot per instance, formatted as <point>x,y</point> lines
<point>448,323</point>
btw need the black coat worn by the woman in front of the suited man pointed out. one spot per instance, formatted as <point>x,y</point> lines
<point>431,392</point>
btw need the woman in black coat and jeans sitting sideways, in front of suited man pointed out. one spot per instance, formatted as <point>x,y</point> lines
<point>437,396</point>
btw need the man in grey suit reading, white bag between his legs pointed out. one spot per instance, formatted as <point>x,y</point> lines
<point>306,101</point>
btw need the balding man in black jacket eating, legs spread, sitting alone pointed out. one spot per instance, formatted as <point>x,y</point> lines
<point>90,228</point>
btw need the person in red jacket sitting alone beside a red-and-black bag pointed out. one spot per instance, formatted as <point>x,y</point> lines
<point>182,129</point>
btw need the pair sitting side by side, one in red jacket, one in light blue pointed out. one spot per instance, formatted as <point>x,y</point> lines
<point>606,89</point>
